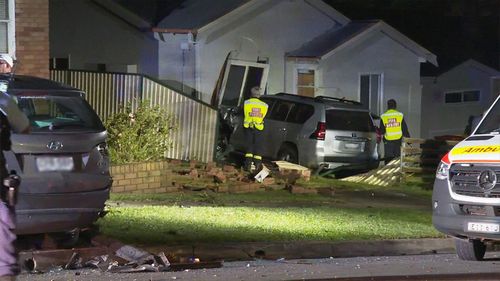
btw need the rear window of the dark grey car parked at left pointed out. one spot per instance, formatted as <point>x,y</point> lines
<point>56,113</point>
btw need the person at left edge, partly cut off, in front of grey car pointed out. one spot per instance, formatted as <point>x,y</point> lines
<point>11,118</point>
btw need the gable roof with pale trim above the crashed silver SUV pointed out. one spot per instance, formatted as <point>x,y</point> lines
<point>335,40</point>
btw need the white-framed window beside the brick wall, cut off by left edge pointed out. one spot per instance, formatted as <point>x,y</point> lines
<point>7,26</point>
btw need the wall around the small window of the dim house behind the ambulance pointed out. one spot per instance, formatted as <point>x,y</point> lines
<point>439,118</point>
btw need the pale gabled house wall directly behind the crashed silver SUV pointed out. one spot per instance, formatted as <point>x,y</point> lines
<point>339,74</point>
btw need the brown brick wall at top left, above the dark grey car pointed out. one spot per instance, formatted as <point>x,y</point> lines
<point>32,37</point>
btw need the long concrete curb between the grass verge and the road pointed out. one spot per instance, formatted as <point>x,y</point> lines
<point>309,249</point>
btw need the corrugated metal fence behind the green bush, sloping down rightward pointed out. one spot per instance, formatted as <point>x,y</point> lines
<point>109,93</point>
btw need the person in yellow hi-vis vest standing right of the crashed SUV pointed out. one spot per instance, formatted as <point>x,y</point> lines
<point>393,128</point>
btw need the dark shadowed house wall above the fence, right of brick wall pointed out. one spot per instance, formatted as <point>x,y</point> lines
<point>90,35</point>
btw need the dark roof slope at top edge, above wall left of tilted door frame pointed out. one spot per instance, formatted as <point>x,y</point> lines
<point>192,15</point>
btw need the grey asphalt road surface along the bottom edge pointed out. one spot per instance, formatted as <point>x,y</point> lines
<point>416,267</point>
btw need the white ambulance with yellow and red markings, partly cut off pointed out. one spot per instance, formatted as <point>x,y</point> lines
<point>466,194</point>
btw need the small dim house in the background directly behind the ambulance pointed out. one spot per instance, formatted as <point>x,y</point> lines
<point>449,99</point>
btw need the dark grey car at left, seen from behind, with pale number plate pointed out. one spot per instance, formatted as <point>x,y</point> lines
<point>62,161</point>
